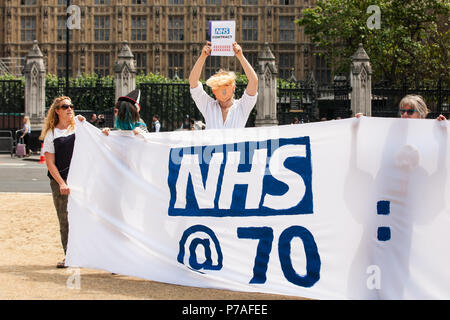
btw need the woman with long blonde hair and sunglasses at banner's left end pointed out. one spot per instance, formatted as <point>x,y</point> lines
<point>58,134</point>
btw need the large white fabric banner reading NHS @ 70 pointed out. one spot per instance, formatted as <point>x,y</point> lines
<point>348,209</point>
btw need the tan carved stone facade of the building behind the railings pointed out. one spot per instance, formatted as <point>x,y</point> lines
<point>147,26</point>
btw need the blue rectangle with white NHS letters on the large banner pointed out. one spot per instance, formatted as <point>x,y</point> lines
<point>252,178</point>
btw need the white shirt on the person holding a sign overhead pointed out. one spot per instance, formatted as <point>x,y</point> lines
<point>237,115</point>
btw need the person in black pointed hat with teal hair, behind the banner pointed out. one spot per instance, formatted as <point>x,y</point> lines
<point>128,117</point>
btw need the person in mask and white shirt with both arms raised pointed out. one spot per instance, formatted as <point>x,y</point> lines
<point>225,111</point>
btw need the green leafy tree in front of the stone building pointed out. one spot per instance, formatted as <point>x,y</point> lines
<point>412,41</point>
